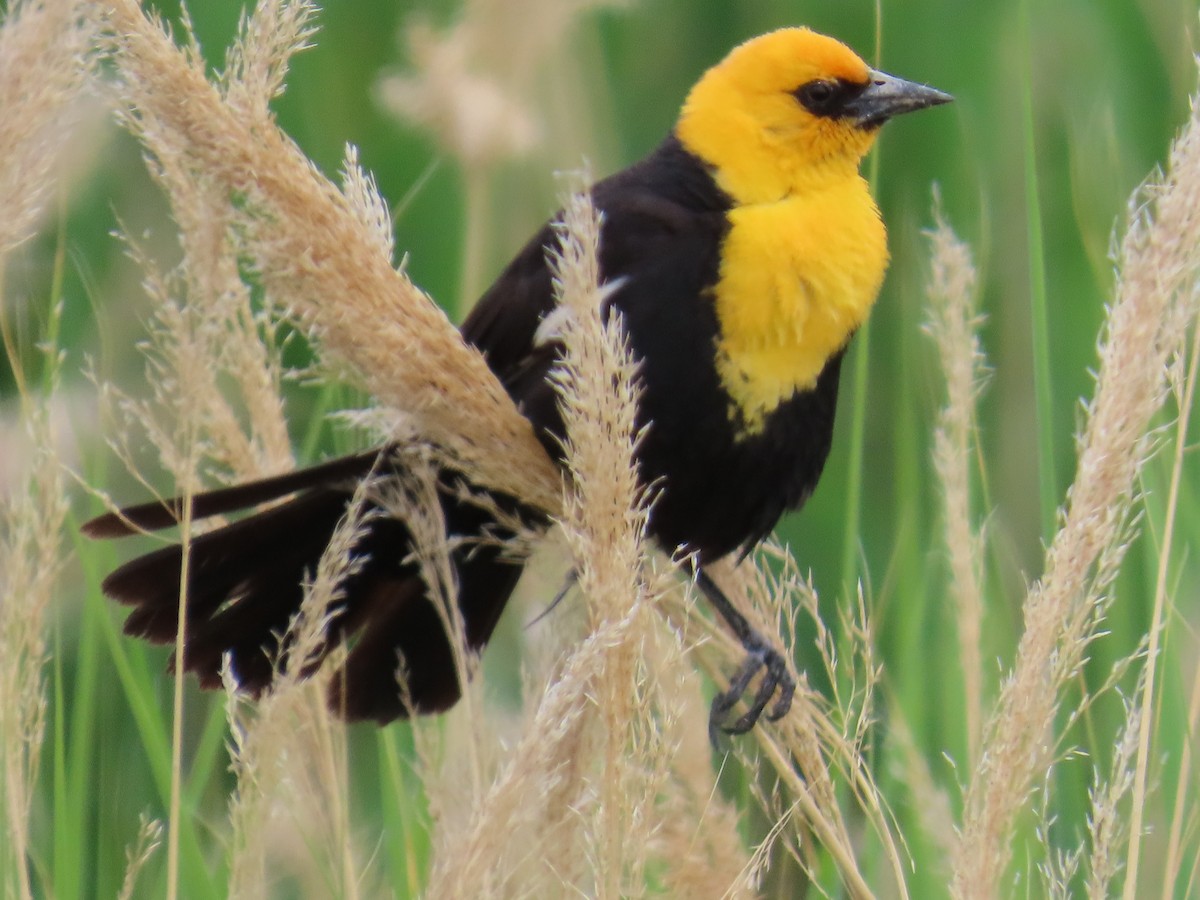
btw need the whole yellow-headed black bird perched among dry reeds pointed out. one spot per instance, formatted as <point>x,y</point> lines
<point>742,255</point>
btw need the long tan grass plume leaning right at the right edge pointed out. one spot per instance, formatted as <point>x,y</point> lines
<point>1154,304</point>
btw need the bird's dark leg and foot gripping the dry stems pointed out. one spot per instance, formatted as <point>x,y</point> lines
<point>760,656</point>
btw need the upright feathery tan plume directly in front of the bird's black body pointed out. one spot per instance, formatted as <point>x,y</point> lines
<point>604,521</point>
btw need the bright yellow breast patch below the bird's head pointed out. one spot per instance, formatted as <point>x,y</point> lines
<point>797,278</point>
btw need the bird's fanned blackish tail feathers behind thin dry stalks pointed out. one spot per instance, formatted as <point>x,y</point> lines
<point>247,583</point>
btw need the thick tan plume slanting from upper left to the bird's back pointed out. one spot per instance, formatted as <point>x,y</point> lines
<point>320,256</point>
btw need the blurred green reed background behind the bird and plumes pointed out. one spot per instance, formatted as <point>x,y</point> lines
<point>1063,109</point>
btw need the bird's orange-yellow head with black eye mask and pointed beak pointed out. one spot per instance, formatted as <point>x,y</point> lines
<point>790,110</point>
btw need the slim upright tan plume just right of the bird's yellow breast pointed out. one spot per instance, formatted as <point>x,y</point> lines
<point>955,325</point>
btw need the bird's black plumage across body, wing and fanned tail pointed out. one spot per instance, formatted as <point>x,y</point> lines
<point>664,223</point>
